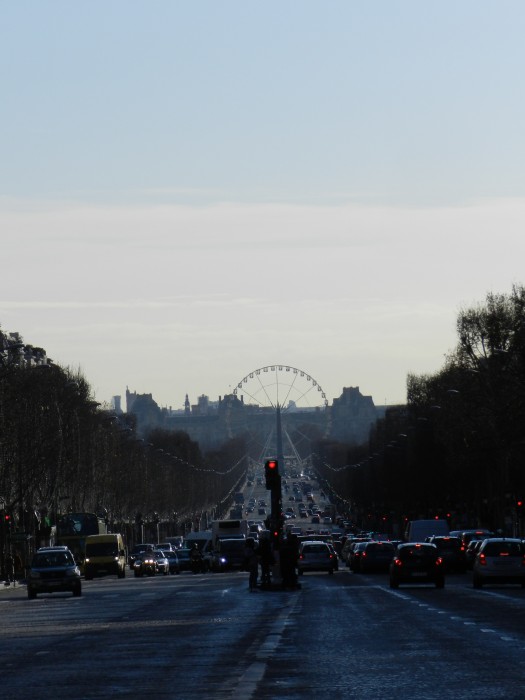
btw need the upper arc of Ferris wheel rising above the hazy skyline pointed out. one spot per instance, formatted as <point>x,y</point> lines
<point>282,386</point>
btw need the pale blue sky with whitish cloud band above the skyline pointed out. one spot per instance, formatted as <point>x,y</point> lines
<point>190,191</point>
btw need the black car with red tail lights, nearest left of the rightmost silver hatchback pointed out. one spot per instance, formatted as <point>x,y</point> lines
<point>417,562</point>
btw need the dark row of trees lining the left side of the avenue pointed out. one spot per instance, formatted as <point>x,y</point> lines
<point>60,451</point>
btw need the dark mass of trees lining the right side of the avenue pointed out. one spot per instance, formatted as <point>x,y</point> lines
<point>457,448</point>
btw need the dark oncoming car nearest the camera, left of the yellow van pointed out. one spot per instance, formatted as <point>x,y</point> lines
<point>53,569</point>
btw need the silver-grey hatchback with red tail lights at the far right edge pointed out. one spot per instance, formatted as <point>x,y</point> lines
<point>499,560</point>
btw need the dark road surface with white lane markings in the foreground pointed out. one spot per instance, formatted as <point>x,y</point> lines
<point>205,636</point>
